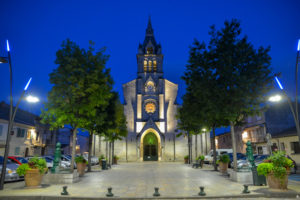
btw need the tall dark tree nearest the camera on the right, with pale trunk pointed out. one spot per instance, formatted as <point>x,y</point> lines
<point>244,74</point>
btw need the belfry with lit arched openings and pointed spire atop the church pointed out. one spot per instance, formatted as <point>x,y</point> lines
<point>149,57</point>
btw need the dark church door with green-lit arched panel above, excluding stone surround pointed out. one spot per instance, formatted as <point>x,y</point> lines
<point>150,147</point>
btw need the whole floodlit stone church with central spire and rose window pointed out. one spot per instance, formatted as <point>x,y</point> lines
<point>150,108</point>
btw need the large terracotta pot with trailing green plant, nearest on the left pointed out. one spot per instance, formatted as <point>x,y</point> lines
<point>33,171</point>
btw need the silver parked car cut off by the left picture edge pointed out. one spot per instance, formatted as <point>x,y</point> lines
<point>11,174</point>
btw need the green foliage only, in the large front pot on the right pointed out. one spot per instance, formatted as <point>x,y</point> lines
<point>277,164</point>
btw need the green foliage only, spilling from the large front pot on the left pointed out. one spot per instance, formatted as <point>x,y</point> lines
<point>33,163</point>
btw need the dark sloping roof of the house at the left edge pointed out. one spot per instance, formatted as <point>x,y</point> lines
<point>22,116</point>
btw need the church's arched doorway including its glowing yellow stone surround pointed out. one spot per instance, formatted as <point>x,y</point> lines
<point>150,148</point>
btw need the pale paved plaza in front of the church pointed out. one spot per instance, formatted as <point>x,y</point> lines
<point>129,180</point>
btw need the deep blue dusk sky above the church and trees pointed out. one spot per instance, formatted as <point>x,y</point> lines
<point>36,29</point>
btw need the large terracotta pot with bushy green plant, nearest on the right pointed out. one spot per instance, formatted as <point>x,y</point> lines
<point>276,169</point>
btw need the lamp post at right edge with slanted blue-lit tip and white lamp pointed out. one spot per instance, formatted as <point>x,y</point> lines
<point>294,111</point>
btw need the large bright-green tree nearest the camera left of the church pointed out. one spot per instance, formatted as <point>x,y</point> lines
<point>81,83</point>
